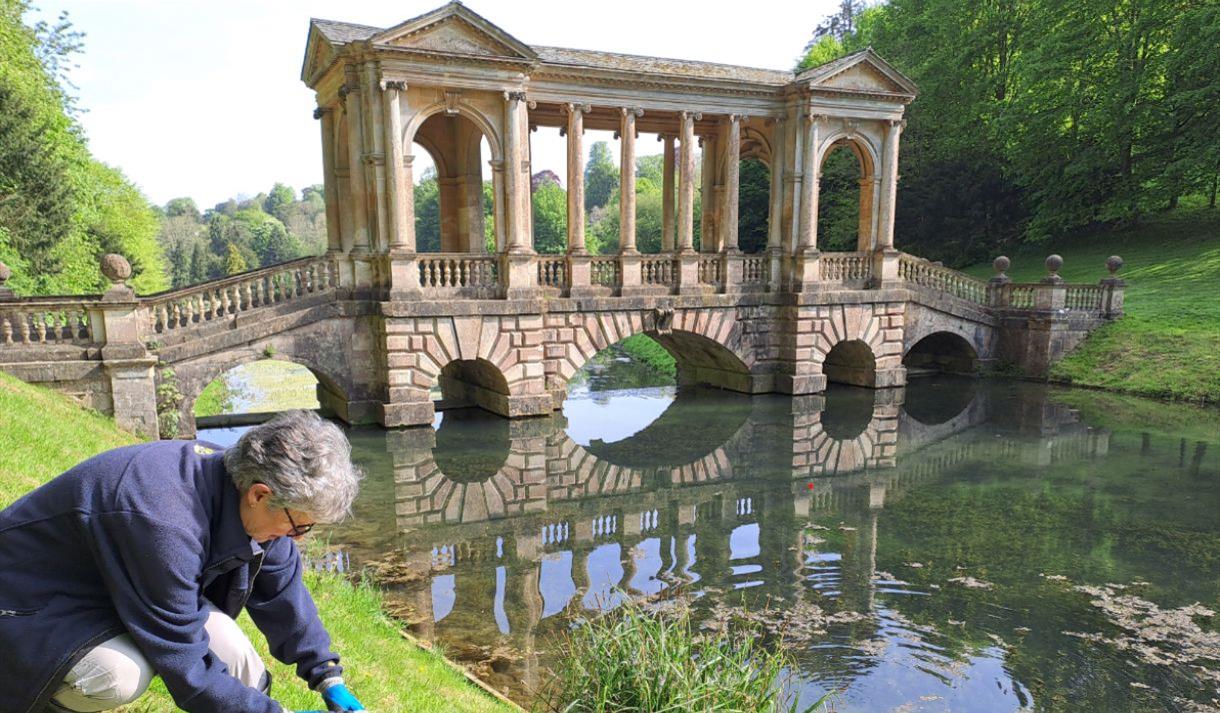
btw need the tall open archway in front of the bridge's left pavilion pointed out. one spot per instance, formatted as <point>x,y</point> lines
<point>454,195</point>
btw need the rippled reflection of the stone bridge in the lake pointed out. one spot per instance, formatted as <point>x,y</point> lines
<point>500,528</point>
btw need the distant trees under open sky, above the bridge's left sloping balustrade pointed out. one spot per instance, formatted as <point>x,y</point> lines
<point>242,235</point>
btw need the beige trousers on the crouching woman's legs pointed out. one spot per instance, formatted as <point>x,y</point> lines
<point>115,673</point>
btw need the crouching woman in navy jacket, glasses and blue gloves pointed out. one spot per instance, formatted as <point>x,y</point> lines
<point>136,563</point>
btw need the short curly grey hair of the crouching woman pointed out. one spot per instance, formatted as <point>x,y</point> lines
<point>304,460</point>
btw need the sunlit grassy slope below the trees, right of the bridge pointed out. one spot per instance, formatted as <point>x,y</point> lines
<point>1168,345</point>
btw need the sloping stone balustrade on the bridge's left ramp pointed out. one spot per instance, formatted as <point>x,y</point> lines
<point>175,311</point>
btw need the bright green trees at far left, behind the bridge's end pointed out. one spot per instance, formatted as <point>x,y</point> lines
<point>60,209</point>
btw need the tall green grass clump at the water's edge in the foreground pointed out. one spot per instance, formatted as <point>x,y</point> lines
<point>641,662</point>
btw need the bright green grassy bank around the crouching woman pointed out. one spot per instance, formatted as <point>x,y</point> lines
<point>42,434</point>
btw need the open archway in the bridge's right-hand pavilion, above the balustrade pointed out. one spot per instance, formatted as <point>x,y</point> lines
<point>847,197</point>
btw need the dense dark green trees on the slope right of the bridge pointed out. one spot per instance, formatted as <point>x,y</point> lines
<point>1036,119</point>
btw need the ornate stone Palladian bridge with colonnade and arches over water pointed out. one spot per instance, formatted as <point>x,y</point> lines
<point>382,325</point>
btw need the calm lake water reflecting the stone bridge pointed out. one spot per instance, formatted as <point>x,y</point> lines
<point>956,546</point>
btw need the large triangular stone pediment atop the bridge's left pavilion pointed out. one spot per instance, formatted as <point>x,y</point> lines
<point>456,30</point>
